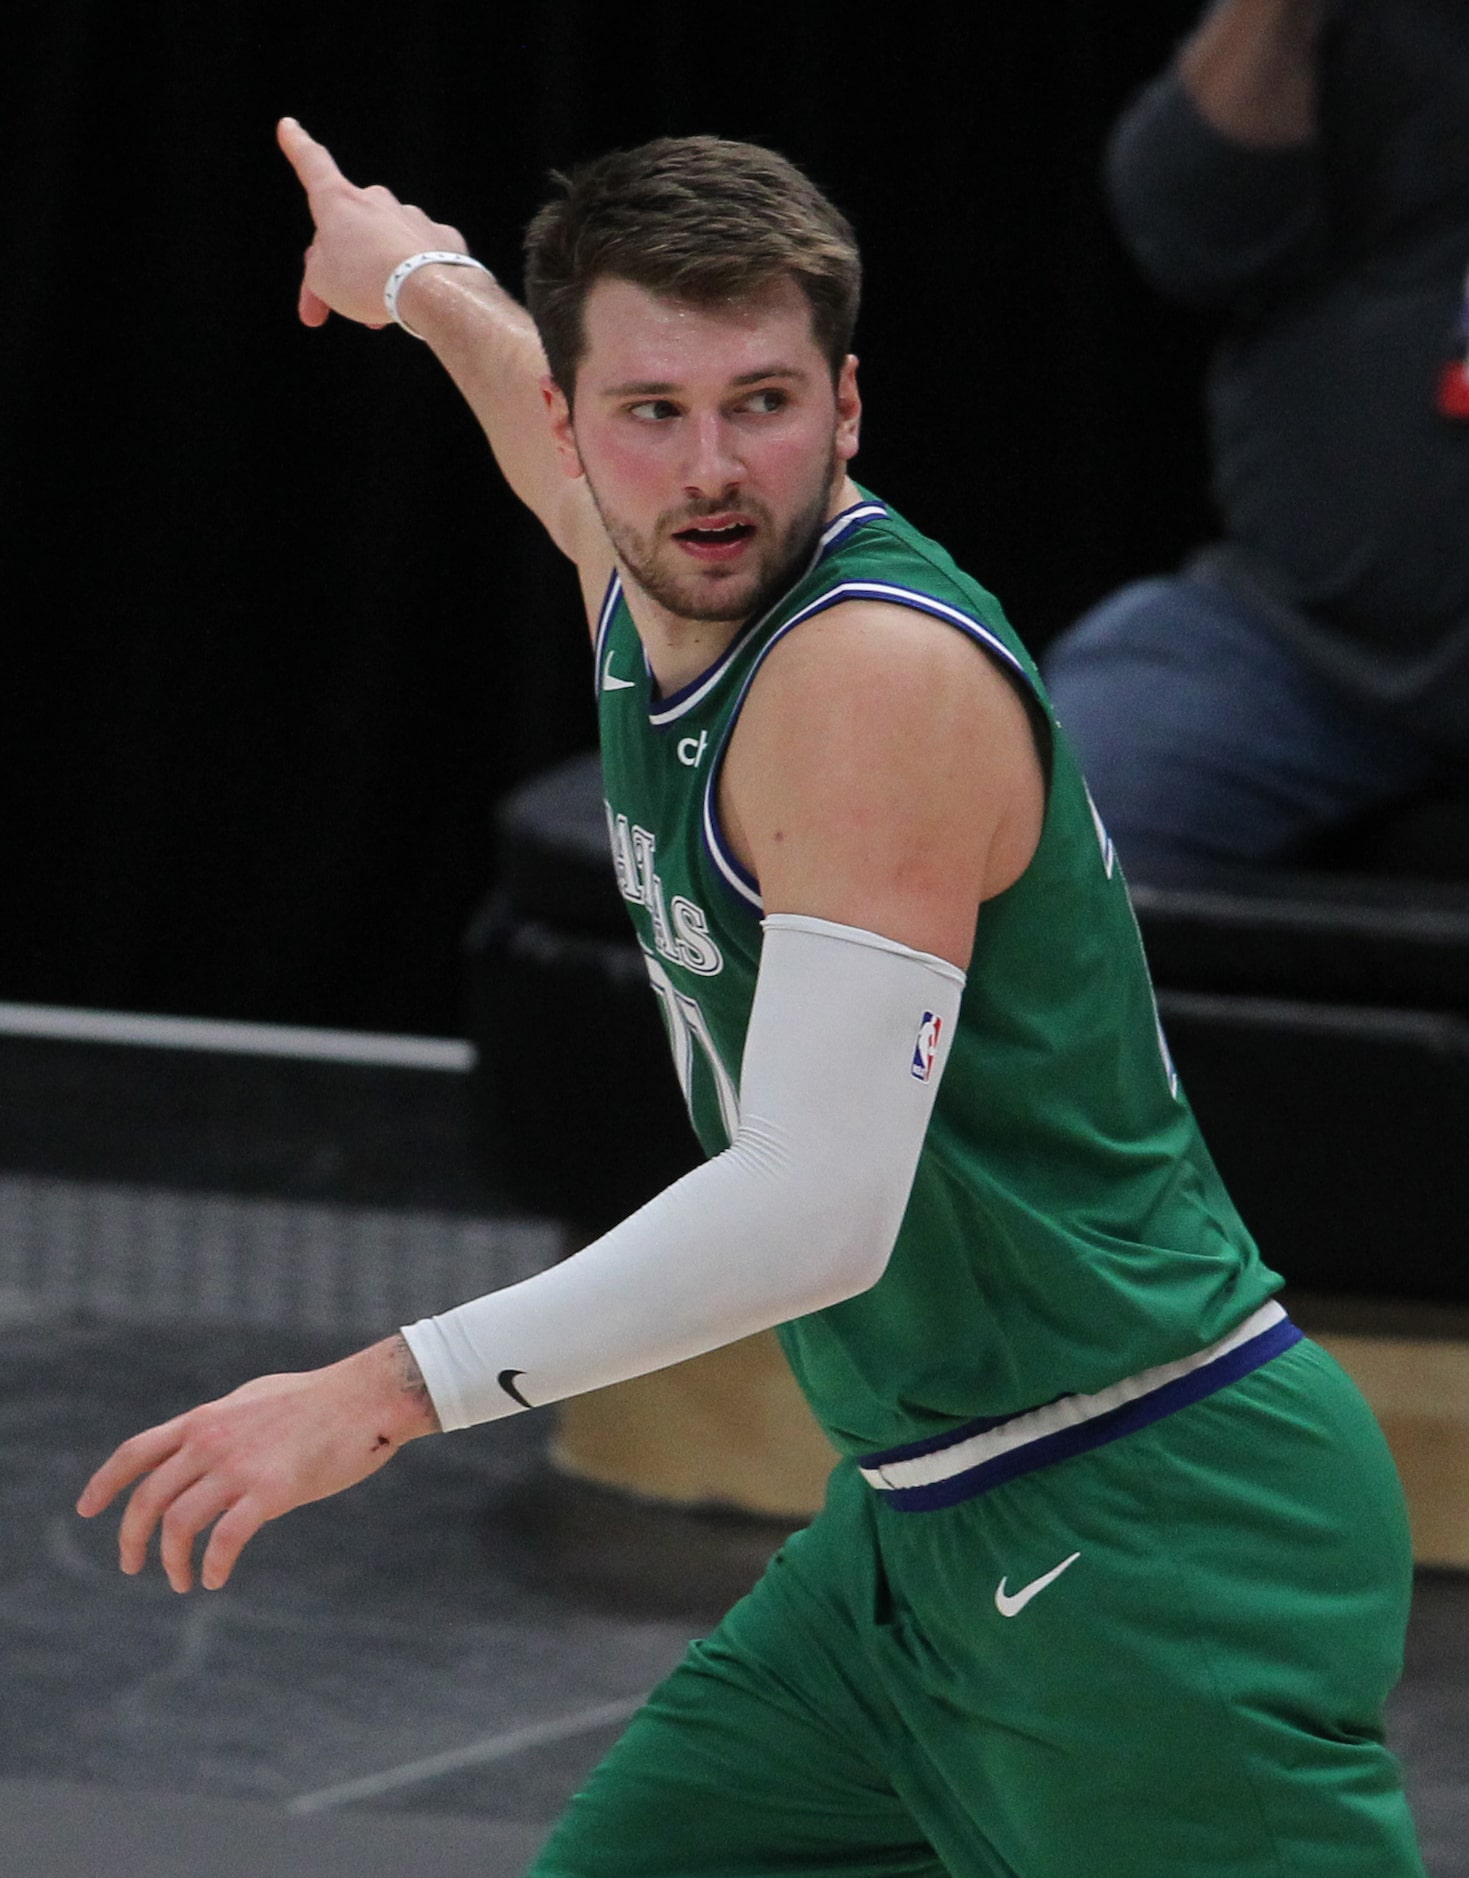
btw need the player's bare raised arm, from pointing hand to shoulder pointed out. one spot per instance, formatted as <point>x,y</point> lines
<point>482,337</point>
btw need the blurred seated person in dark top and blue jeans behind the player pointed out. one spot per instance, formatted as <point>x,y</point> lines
<point>1303,166</point>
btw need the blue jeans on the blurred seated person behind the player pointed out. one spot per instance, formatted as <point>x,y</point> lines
<point>1205,737</point>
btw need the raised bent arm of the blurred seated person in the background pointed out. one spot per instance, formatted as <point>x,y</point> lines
<point>1213,174</point>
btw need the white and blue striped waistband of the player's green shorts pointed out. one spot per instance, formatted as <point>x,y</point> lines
<point>978,1456</point>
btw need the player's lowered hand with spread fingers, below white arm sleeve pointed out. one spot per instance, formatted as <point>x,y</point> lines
<point>253,1456</point>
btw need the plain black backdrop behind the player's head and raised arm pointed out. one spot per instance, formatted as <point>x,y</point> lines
<point>277,639</point>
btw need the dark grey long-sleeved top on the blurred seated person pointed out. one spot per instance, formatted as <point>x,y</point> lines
<point>1342,484</point>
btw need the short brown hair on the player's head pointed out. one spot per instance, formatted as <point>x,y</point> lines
<point>692,219</point>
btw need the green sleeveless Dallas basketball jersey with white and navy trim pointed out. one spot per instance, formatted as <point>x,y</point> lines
<point>1066,1227</point>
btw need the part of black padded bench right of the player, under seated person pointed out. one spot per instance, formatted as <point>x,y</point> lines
<point>1320,1021</point>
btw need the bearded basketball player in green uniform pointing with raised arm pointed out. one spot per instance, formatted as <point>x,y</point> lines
<point>1115,1571</point>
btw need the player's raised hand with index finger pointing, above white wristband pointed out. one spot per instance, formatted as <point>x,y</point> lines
<point>360,236</point>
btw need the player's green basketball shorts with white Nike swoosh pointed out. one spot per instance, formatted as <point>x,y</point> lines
<point>1160,1659</point>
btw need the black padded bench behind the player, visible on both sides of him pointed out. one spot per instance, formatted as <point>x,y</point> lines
<point>1320,1023</point>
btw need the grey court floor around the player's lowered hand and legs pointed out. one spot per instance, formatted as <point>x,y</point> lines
<point>388,1687</point>
